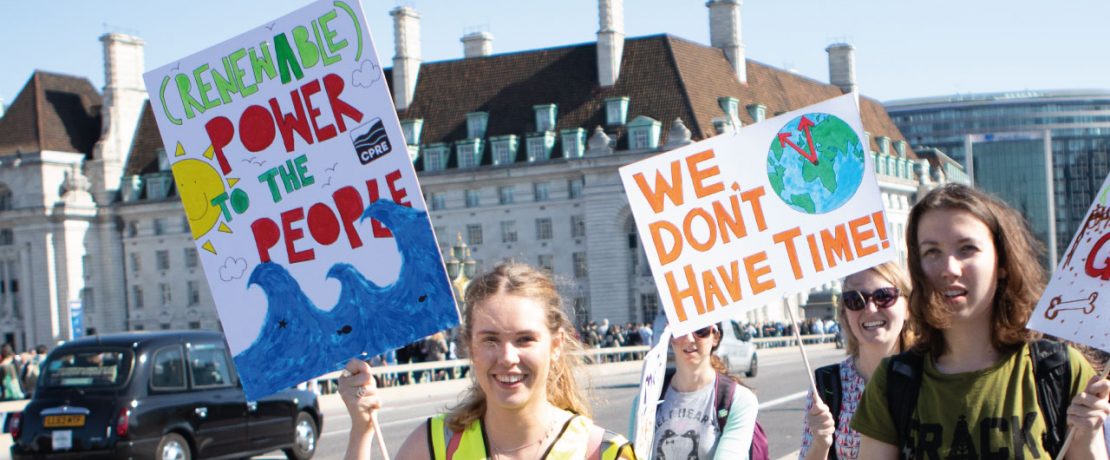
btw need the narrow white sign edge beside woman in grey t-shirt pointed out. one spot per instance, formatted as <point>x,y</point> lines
<point>651,388</point>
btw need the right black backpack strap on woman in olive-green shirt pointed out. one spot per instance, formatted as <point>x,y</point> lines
<point>1053,376</point>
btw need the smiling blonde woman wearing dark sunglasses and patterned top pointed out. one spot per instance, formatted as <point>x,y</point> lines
<point>874,313</point>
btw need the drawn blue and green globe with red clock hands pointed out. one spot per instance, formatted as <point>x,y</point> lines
<point>816,164</point>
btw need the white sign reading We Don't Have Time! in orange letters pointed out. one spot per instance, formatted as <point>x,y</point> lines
<point>739,221</point>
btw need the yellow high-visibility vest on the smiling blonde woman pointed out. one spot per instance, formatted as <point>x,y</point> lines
<point>573,443</point>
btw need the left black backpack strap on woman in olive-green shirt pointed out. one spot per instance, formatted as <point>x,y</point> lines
<point>904,384</point>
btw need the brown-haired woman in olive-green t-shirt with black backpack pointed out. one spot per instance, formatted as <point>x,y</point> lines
<point>978,384</point>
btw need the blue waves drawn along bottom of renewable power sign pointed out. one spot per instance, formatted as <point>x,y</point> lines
<point>300,342</point>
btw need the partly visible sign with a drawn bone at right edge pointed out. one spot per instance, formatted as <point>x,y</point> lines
<point>1071,307</point>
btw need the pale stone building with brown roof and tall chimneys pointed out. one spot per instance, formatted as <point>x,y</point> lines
<point>89,212</point>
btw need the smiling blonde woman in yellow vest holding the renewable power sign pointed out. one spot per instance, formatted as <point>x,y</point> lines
<point>524,403</point>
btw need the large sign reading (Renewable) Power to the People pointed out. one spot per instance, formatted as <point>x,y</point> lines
<point>301,196</point>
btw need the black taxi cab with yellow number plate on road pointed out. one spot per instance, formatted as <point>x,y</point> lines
<point>167,395</point>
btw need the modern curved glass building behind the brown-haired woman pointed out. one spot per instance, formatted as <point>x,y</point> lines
<point>1045,153</point>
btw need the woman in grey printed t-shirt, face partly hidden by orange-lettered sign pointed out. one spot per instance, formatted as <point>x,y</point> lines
<point>688,423</point>
